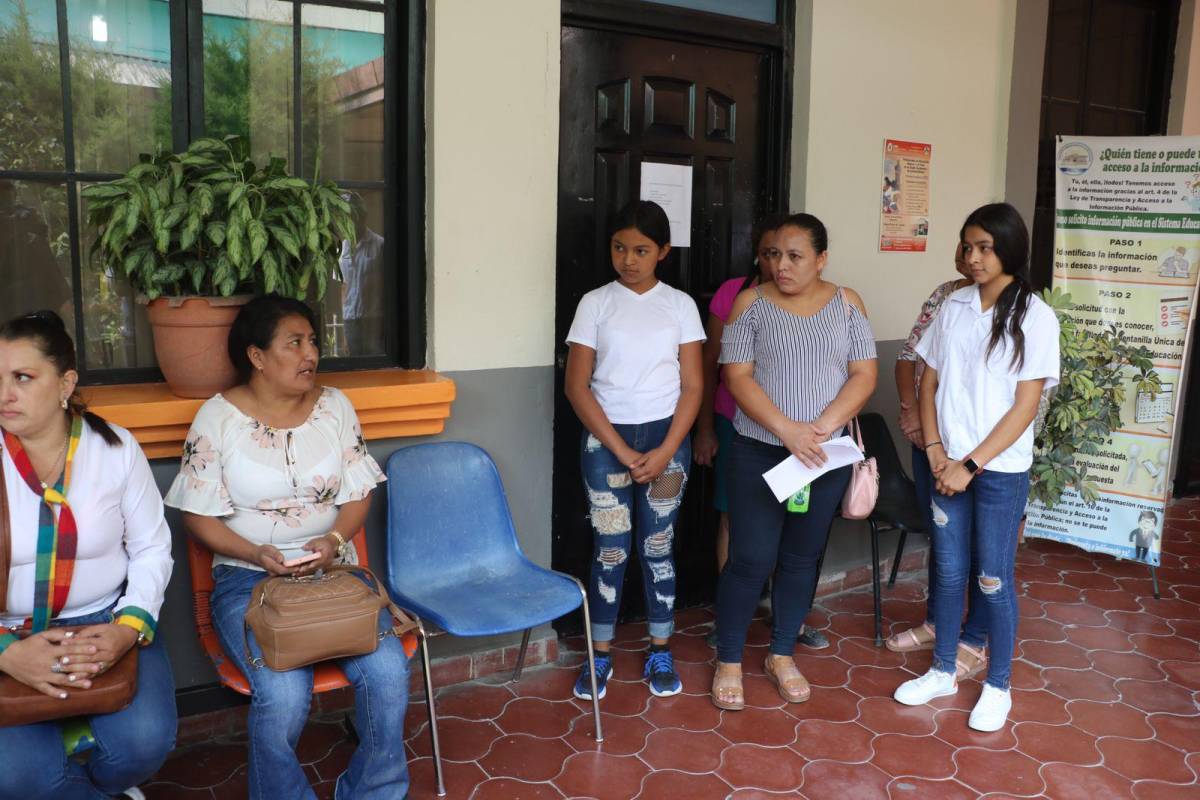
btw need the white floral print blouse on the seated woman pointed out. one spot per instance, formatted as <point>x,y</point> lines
<point>277,486</point>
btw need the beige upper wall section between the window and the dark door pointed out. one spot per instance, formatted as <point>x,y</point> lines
<point>493,183</point>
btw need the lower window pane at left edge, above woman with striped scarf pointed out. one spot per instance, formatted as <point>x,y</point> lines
<point>35,252</point>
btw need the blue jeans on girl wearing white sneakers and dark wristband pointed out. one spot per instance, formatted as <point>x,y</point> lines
<point>979,527</point>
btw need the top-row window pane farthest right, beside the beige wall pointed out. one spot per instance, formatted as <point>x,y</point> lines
<point>343,88</point>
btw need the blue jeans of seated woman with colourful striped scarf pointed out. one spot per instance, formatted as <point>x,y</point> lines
<point>131,744</point>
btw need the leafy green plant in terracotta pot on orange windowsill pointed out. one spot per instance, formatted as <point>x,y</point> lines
<point>199,233</point>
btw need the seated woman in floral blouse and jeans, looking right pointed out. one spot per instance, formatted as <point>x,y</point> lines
<point>275,472</point>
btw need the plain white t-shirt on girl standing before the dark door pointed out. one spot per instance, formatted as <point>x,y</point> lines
<point>637,339</point>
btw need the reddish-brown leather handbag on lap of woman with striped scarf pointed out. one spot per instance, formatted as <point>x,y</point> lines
<point>22,705</point>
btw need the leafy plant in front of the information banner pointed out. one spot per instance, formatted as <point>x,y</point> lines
<point>1085,408</point>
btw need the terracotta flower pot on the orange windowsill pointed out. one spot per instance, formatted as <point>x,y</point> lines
<point>190,340</point>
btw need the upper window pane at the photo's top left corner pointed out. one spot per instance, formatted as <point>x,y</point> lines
<point>31,85</point>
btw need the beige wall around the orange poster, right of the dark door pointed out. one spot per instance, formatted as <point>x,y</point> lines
<point>934,71</point>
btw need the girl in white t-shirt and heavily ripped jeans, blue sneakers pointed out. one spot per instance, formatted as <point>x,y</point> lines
<point>634,378</point>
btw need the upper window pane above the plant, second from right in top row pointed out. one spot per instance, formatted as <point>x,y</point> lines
<point>248,74</point>
